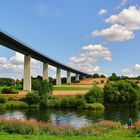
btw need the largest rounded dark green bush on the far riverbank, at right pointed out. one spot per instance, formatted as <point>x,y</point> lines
<point>119,92</point>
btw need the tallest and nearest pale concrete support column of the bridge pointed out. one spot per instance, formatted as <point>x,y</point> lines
<point>27,73</point>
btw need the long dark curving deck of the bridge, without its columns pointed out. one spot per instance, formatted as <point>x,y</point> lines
<point>16,45</point>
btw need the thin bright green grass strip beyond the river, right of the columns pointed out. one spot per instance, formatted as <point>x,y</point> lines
<point>70,88</point>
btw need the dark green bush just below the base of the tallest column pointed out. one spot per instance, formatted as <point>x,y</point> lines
<point>31,98</point>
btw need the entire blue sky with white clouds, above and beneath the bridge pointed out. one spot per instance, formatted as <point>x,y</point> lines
<point>82,34</point>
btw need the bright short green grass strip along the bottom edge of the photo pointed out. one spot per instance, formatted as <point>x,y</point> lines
<point>116,135</point>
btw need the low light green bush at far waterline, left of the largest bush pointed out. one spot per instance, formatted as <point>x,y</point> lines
<point>94,106</point>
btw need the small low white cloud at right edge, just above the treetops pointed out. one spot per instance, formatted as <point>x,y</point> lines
<point>132,71</point>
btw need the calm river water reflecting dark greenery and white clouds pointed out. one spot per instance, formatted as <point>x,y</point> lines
<point>77,118</point>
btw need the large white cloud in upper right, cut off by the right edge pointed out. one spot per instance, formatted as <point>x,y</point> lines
<point>129,18</point>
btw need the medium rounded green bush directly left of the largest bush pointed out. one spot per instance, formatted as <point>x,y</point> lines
<point>94,96</point>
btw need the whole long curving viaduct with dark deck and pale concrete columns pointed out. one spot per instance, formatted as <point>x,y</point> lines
<point>10,42</point>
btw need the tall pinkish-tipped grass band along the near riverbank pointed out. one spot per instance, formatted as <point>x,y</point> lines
<point>33,127</point>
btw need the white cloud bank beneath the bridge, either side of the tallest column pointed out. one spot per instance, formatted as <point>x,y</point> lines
<point>14,65</point>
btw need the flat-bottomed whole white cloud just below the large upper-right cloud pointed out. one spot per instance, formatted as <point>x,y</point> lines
<point>114,33</point>
